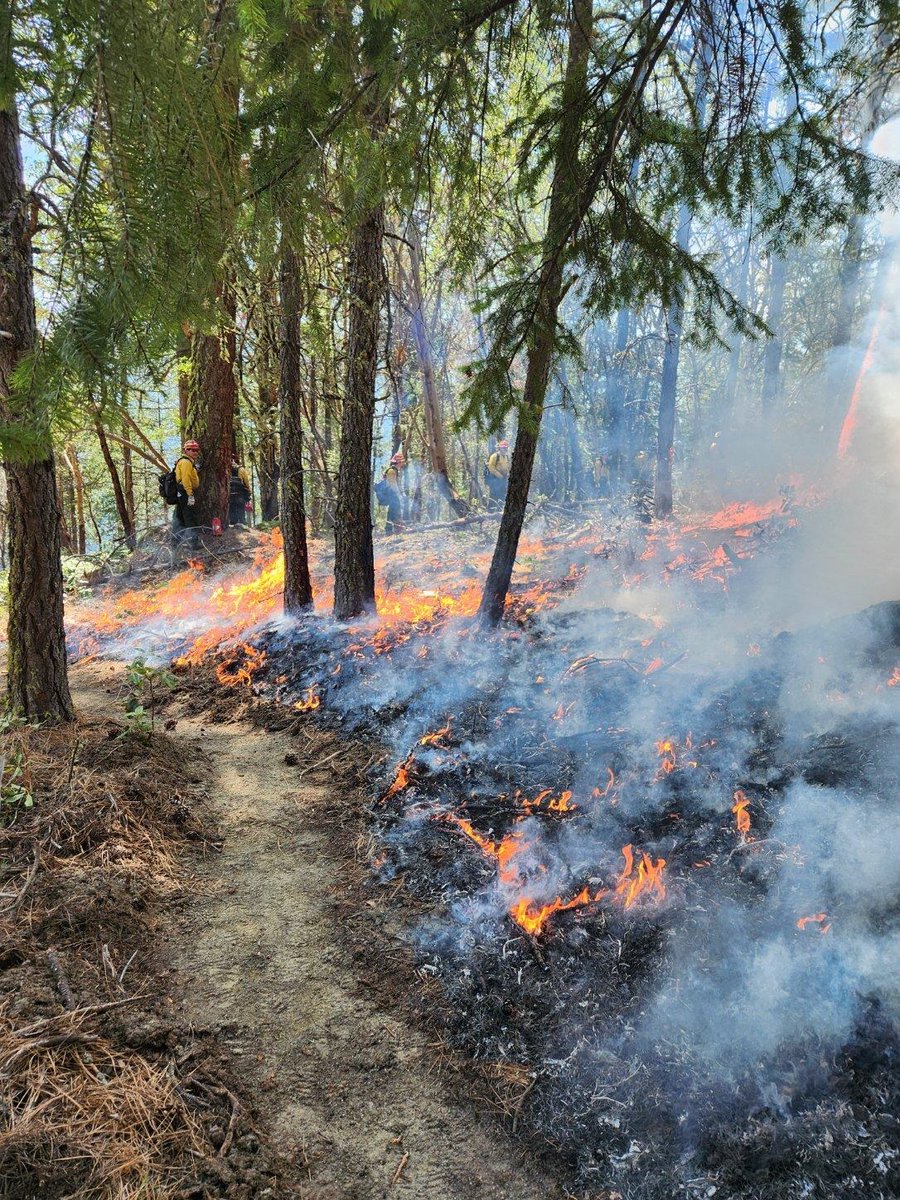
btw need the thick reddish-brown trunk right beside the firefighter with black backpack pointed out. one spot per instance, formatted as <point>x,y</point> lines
<point>212,407</point>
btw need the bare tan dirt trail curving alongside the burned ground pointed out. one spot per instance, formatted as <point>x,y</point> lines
<point>345,1084</point>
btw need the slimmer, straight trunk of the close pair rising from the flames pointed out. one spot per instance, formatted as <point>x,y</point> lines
<point>298,586</point>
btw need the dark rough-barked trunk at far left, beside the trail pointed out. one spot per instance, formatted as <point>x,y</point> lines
<point>38,682</point>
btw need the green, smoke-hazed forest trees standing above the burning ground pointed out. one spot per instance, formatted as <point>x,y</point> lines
<point>314,235</point>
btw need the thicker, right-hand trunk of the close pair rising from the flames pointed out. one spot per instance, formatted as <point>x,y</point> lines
<point>355,556</point>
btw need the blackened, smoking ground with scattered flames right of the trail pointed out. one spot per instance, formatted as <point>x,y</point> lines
<point>649,838</point>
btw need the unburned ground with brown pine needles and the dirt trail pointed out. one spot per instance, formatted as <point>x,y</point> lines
<point>205,995</point>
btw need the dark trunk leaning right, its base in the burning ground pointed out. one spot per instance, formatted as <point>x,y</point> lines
<point>567,209</point>
